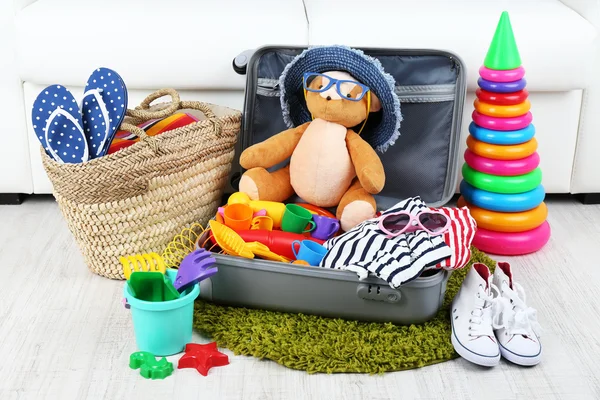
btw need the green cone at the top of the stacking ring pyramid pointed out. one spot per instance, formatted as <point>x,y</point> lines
<point>503,53</point>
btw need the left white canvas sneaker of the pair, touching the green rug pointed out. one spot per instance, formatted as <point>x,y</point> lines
<point>471,315</point>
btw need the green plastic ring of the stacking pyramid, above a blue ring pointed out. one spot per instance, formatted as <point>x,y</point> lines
<point>502,184</point>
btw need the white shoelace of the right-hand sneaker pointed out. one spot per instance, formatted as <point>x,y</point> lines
<point>512,313</point>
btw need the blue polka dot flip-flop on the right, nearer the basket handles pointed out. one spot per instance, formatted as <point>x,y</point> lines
<point>103,108</point>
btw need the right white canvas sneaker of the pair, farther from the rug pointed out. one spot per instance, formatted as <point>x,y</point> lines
<point>515,324</point>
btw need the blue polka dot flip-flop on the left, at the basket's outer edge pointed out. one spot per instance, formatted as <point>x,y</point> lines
<point>58,126</point>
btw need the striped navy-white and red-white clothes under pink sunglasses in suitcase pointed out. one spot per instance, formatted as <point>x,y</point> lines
<point>366,249</point>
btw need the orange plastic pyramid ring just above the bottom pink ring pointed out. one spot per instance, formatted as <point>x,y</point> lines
<point>506,222</point>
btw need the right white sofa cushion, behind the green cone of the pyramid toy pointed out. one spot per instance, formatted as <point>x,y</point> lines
<point>554,41</point>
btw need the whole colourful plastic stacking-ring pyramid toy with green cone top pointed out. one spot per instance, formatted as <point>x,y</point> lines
<point>501,175</point>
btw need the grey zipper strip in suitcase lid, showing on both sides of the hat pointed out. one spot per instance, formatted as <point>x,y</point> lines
<point>407,94</point>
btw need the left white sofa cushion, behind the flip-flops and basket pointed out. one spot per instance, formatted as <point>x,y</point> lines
<point>177,43</point>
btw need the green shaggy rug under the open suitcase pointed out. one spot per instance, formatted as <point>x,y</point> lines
<point>333,345</point>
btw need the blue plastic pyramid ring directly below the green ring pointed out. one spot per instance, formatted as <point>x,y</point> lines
<point>502,202</point>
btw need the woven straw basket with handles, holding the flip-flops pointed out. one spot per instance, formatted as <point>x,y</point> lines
<point>136,200</point>
